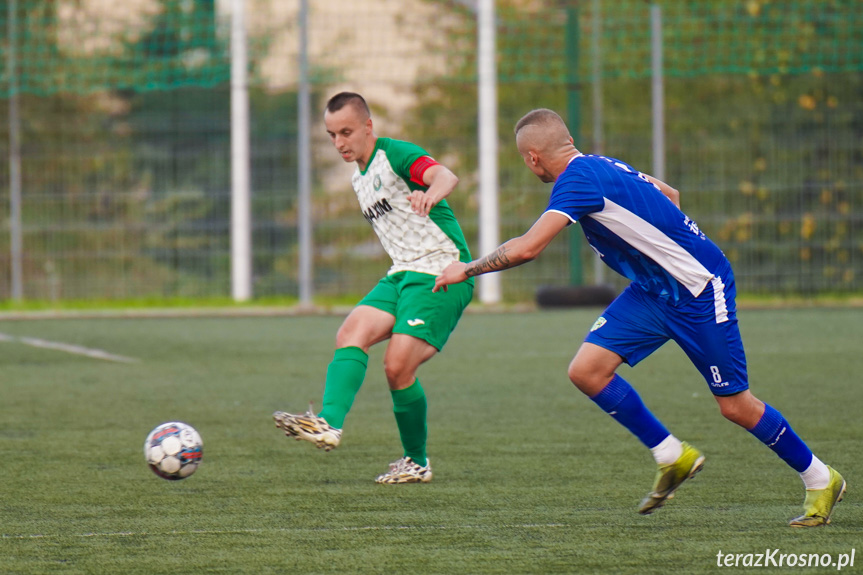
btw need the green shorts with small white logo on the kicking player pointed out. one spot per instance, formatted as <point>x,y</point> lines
<point>420,313</point>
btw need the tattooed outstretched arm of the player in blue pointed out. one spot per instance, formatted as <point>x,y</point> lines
<point>512,253</point>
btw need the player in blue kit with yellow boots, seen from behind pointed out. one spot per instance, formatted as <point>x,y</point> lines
<point>682,289</point>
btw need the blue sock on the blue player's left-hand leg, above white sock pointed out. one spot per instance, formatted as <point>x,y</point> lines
<point>622,402</point>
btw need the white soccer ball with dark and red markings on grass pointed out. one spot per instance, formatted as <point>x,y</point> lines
<point>173,450</point>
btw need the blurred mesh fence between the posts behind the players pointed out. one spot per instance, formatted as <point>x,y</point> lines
<point>125,133</point>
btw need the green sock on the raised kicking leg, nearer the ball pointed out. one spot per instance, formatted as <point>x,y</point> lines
<point>345,376</point>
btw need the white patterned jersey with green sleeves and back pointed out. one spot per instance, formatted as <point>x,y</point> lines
<point>415,243</point>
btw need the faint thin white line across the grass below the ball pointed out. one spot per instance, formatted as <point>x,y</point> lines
<point>292,530</point>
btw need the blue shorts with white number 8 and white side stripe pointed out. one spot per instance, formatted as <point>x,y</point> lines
<point>637,323</point>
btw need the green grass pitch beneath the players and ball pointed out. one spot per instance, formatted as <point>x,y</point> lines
<point>530,476</point>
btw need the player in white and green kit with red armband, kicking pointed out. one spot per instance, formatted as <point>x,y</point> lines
<point>402,193</point>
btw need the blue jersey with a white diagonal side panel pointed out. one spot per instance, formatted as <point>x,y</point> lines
<point>635,229</point>
